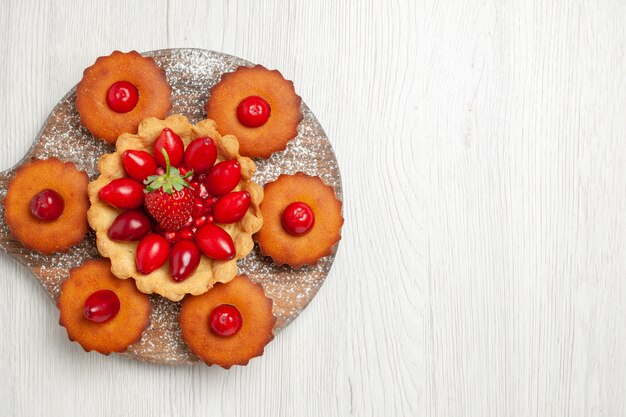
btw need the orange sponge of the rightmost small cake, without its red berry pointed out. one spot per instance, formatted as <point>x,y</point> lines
<point>307,249</point>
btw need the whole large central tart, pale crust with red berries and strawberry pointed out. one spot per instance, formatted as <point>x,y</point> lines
<point>174,207</point>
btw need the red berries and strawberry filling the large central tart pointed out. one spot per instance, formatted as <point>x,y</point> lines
<point>174,200</point>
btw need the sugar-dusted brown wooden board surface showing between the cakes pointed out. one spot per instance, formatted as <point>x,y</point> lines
<point>191,73</point>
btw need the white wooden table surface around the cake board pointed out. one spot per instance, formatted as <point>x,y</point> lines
<point>483,152</point>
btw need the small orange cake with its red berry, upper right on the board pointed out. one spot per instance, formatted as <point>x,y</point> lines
<point>260,107</point>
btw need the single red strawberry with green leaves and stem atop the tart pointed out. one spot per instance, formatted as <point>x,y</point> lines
<point>169,198</point>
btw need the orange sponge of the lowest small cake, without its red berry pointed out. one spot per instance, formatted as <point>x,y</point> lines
<point>249,342</point>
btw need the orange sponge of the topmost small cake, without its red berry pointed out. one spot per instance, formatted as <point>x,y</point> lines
<point>142,72</point>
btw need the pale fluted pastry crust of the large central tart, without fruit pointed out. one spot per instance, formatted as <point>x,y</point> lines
<point>122,254</point>
